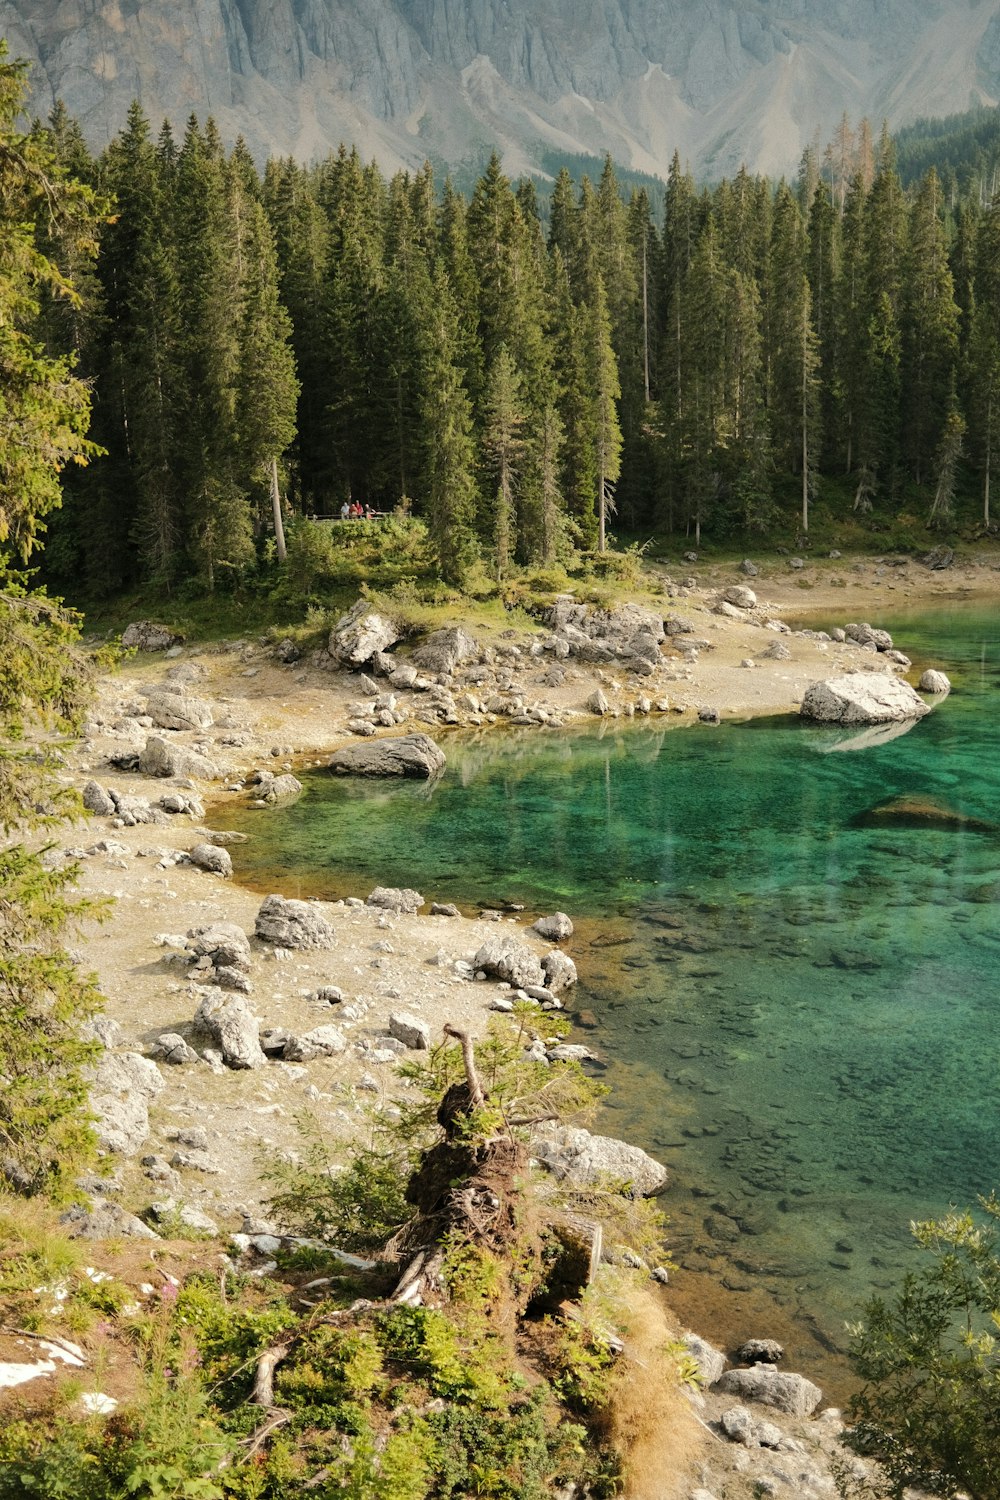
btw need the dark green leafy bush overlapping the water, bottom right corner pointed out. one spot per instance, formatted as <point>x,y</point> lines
<point>930,1358</point>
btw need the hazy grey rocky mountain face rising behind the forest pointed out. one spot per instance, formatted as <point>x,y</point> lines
<point>449,80</point>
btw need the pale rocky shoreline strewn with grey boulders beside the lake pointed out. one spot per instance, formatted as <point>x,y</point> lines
<point>227,1018</point>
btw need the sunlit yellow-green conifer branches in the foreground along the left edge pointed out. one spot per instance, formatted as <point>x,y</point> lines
<point>44,409</point>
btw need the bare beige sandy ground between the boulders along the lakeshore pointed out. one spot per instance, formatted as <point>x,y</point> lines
<point>269,716</point>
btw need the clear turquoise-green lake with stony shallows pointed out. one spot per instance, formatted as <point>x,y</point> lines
<point>798,1010</point>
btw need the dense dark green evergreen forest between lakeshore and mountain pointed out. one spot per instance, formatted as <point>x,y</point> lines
<point>522,377</point>
